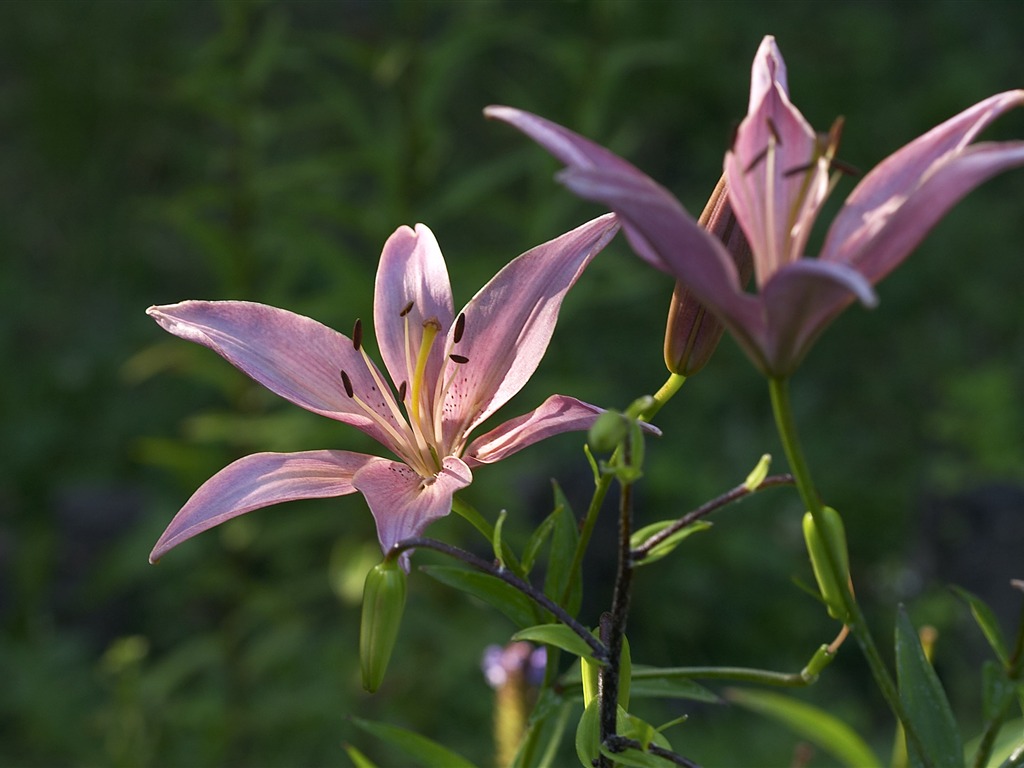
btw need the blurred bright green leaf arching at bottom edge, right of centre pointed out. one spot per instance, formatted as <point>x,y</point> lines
<point>829,733</point>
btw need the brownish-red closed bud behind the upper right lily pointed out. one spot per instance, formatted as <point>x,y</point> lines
<point>693,333</point>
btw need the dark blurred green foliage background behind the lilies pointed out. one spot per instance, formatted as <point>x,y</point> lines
<point>154,152</point>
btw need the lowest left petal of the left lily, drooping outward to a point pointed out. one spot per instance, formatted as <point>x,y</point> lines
<point>261,481</point>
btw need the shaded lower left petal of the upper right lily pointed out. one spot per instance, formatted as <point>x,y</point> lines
<point>696,259</point>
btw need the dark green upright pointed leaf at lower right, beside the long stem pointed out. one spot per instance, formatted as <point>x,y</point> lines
<point>925,702</point>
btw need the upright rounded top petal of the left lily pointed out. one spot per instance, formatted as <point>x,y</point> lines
<point>412,270</point>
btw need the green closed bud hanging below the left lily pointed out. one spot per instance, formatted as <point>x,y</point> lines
<point>383,603</point>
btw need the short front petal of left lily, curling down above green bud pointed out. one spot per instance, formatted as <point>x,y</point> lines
<point>404,503</point>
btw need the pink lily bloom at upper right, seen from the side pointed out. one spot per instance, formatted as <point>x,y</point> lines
<point>779,174</point>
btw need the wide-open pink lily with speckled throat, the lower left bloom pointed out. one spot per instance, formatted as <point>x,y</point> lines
<point>448,374</point>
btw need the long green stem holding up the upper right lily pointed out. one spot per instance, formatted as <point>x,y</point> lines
<point>858,623</point>
